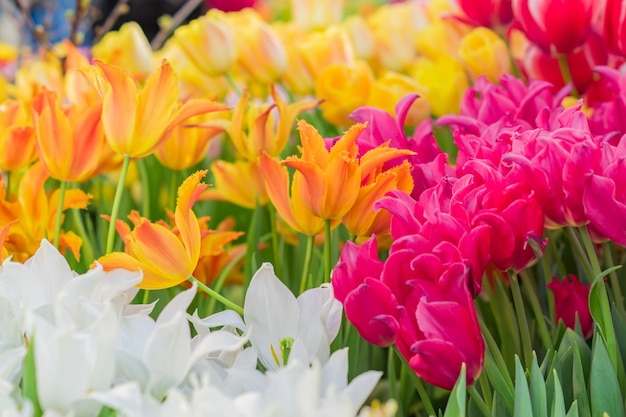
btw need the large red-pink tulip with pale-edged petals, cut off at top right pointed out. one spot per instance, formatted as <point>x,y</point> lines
<point>556,26</point>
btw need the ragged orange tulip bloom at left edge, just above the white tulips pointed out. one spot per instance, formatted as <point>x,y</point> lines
<point>35,213</point>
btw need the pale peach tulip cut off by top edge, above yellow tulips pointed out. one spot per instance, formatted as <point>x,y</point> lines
<point>316,14</point>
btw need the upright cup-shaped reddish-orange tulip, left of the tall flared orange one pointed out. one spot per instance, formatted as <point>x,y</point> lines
<point>70,141</point>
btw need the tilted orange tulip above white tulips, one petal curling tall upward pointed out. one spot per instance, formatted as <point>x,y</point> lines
<point>165,257</point>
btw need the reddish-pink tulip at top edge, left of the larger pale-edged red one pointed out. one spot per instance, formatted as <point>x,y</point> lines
<point>493,14</point>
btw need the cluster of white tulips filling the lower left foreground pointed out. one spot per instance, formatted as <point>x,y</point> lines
<point>94,353</point>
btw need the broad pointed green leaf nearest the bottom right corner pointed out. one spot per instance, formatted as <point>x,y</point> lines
<point>603,385</point>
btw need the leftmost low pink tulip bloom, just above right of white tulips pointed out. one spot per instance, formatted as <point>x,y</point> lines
<point>369,304</point>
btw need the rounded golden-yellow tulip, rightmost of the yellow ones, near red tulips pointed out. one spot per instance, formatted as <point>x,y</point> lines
<point>483,52</point>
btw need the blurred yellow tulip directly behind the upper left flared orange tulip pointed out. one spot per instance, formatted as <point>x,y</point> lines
<point>127,48</point>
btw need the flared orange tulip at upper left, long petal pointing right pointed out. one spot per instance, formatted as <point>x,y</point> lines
<point>136,122</point>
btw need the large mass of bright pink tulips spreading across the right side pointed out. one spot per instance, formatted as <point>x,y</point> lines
<point>524,164</point>
